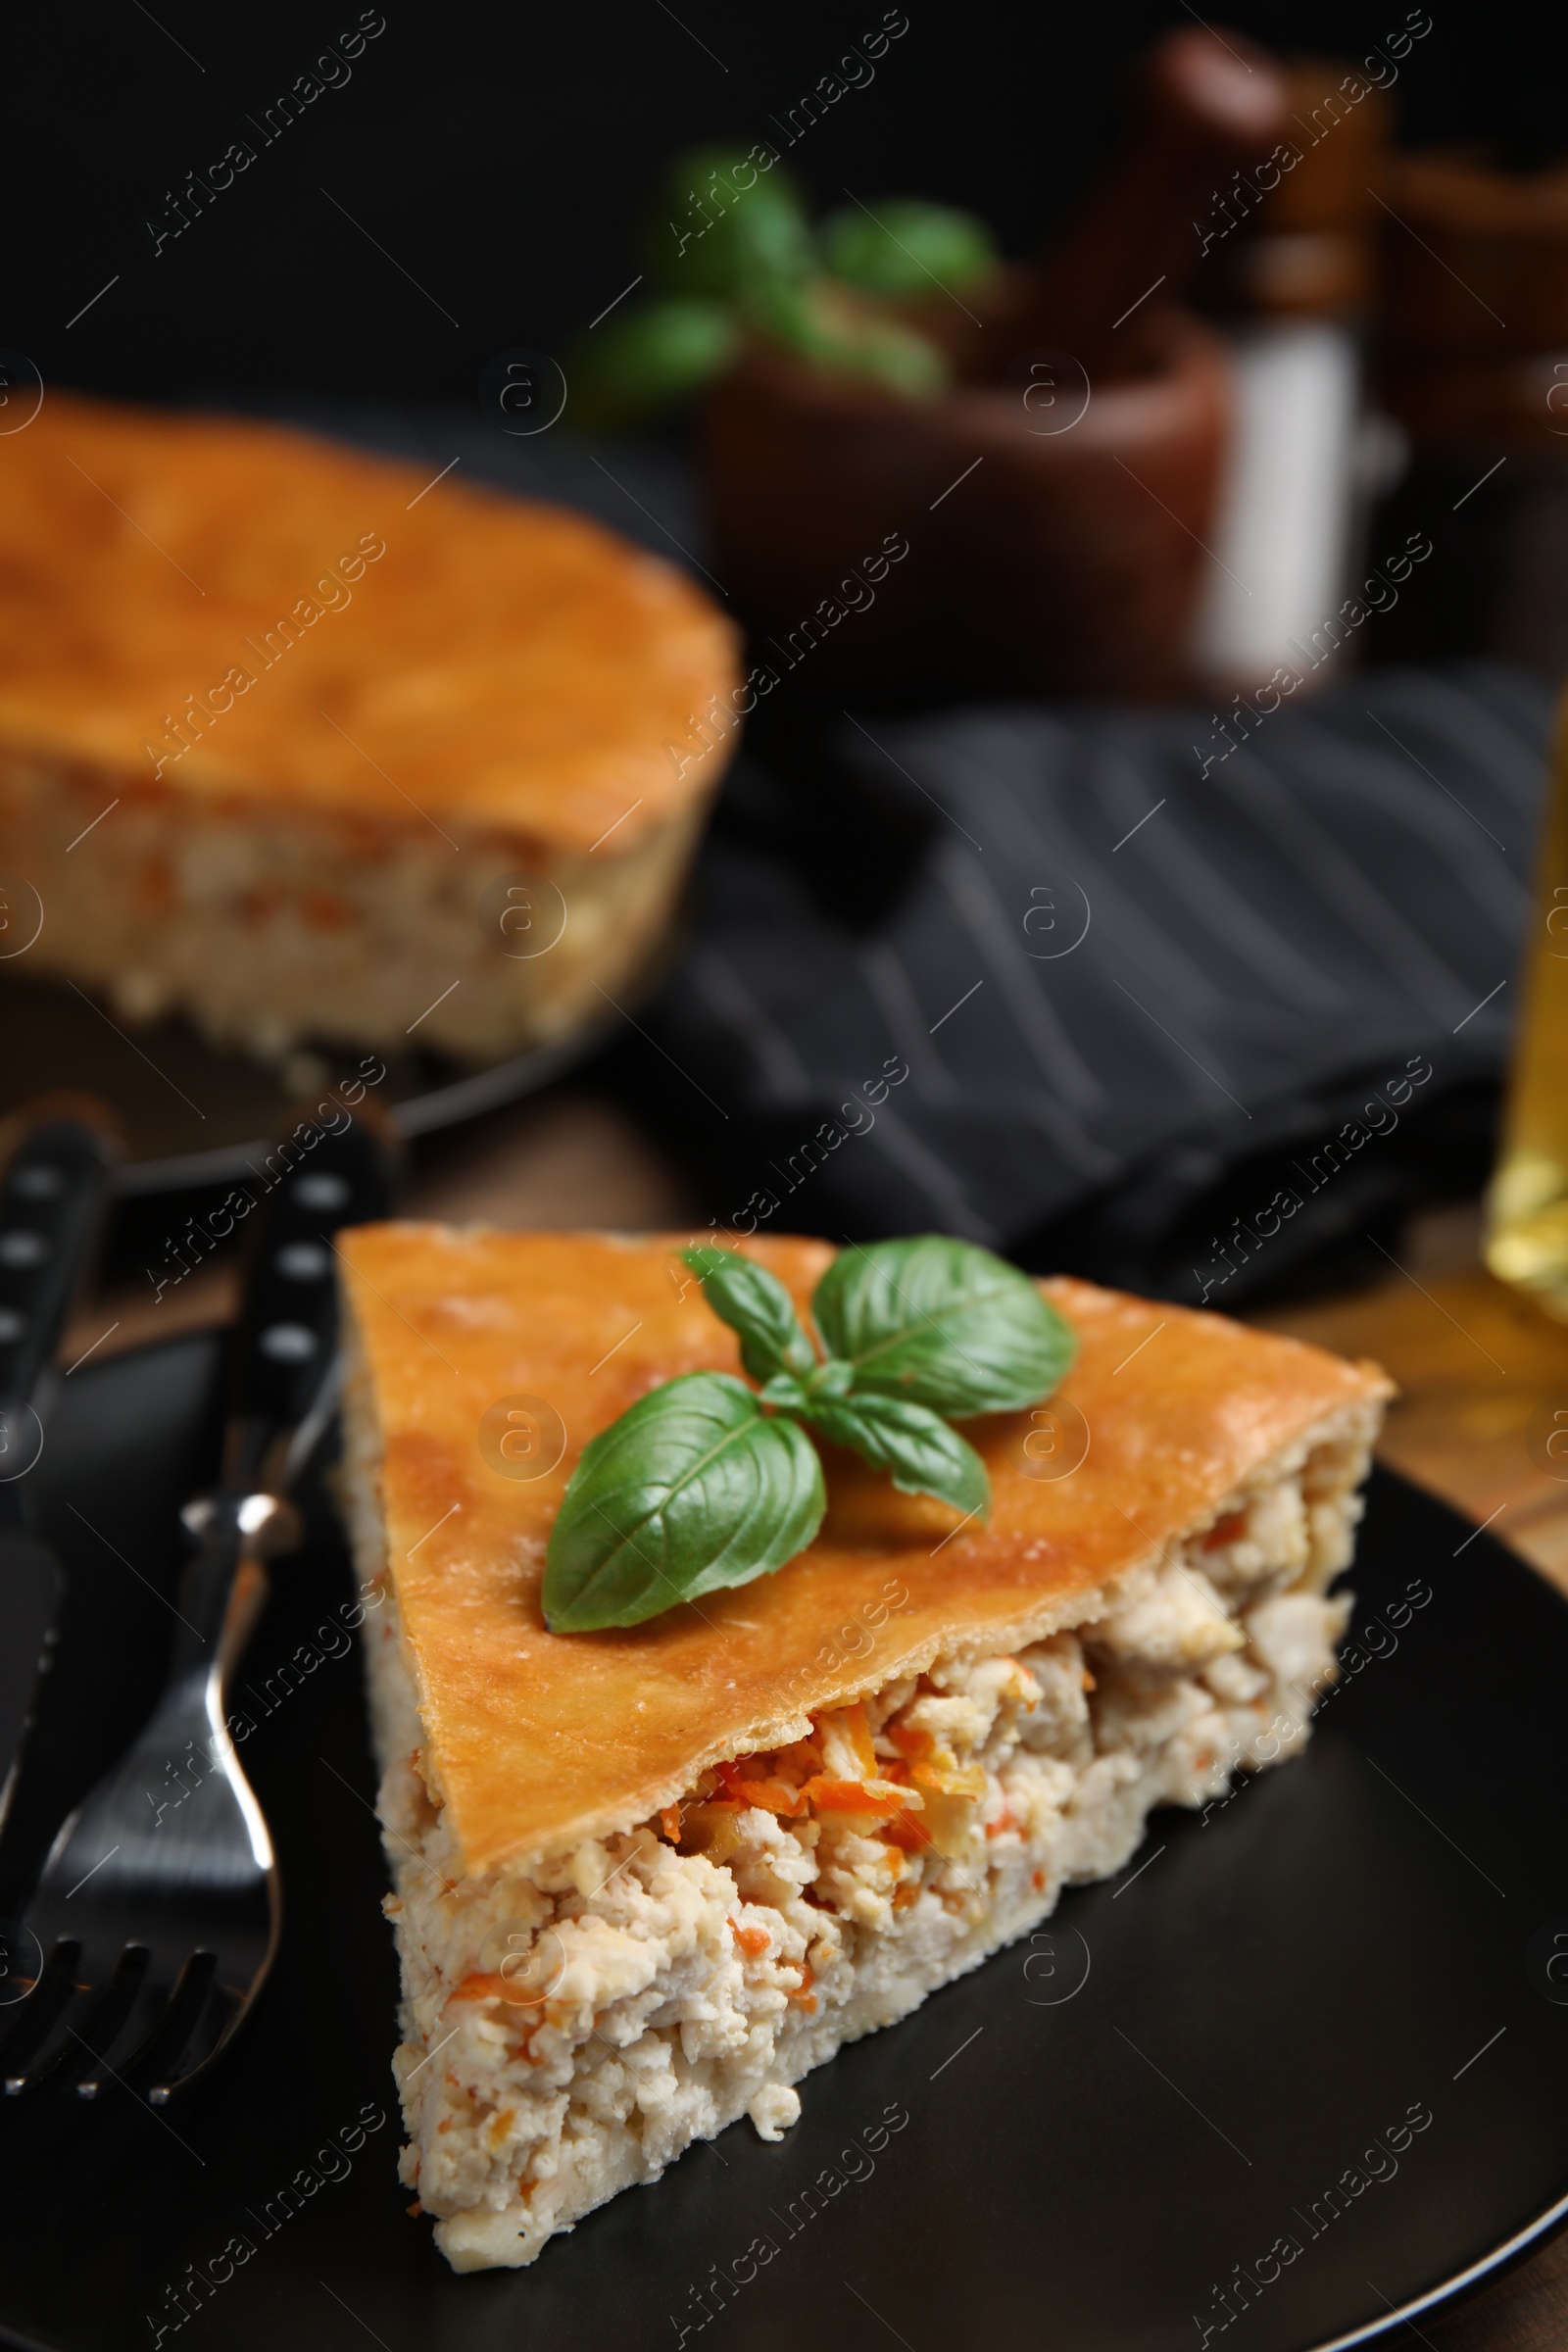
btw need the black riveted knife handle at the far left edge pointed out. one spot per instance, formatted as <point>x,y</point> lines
<point>53,1201</point>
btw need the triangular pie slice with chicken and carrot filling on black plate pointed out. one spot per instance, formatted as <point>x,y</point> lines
<point>648,1880</point>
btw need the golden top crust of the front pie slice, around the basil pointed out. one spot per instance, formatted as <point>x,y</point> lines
<point>535,1739</point>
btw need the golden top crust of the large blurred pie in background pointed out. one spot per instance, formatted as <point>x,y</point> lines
<point>500,662</point>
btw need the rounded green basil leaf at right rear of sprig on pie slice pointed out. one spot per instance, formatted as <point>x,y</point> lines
<point>942,1323</point>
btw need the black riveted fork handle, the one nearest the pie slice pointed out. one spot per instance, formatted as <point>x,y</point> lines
<point>314,1182</point>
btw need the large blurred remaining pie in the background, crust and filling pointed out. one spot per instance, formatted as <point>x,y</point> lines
<point>309,744</point>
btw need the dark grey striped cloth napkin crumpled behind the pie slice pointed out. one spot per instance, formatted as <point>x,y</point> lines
<point>1036,977</point>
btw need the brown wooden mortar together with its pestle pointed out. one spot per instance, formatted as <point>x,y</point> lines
<point>1054,547</point>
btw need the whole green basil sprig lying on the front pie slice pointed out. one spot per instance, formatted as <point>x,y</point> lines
<point>709,1483</point>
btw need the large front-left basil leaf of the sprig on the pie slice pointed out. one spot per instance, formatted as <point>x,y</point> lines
<point>690,1490</point>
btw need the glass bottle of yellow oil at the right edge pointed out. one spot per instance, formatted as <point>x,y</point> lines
<point>1527,1212</point>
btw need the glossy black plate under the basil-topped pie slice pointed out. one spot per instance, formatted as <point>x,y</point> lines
<point>1080,2160</point>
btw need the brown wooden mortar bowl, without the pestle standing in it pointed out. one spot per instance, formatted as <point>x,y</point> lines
<point>1036,561</point>
